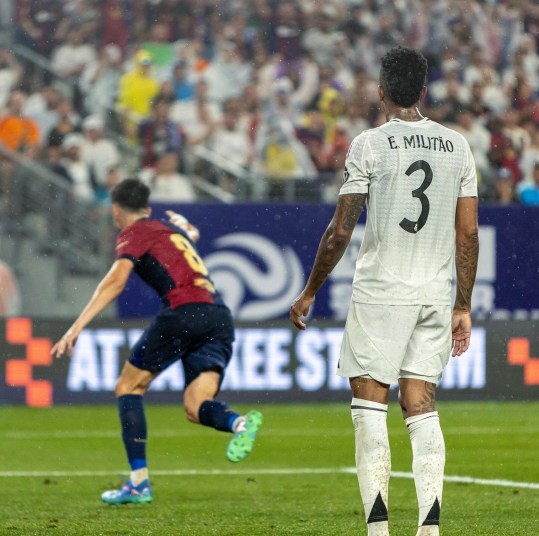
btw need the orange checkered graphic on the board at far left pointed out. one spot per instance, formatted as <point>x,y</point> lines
<point>19,371</point>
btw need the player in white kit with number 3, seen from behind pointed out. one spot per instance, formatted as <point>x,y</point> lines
<point>419,182</point>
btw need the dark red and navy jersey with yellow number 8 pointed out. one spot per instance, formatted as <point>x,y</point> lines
<point>167,260</point>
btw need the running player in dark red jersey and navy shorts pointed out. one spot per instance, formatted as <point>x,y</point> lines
<point>194,326</point>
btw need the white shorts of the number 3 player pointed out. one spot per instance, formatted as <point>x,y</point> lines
<point>388,342</point>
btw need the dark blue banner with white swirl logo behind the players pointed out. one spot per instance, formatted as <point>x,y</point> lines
<point>259,256</point>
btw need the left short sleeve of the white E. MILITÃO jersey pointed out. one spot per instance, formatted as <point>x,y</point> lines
<point>358,166</point>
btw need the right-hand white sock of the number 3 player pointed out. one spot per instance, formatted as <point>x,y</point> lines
<point>428,449</point>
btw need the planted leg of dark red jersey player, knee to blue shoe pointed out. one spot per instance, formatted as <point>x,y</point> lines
<point>130,389</point>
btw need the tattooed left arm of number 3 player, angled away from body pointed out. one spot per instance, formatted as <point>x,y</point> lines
<point>330,250</point>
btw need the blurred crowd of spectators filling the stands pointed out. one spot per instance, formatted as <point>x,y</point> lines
<point>276,89</point>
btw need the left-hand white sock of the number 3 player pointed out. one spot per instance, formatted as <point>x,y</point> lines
<point>373,462</point>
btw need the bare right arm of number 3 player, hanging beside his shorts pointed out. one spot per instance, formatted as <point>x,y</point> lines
<point>466,255</point>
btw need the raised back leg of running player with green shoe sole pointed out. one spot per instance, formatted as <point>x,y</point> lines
<point>201,407</point>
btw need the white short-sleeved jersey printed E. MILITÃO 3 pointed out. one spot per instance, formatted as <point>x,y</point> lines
<point>413,173</point>
